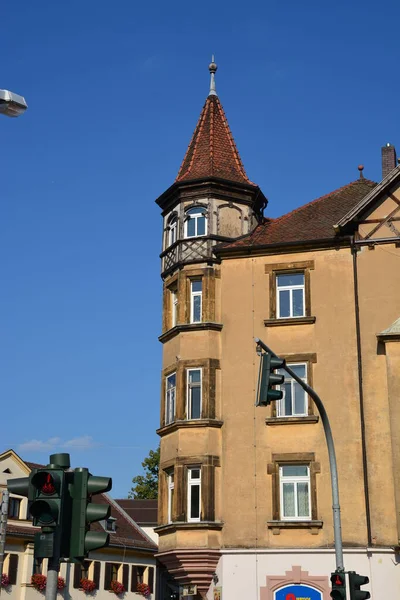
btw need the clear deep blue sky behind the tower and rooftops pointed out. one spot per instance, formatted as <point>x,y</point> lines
<point>114,90</point>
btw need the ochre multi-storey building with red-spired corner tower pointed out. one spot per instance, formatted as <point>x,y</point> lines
<point>245,508</point>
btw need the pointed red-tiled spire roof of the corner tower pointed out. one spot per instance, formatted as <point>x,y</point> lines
<point>212,151</point>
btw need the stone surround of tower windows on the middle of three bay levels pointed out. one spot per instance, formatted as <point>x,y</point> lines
<point>209,367</point>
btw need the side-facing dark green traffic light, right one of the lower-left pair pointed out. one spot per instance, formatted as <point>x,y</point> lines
<point>85,512</point>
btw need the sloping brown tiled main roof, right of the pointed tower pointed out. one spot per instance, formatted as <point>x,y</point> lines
<point>312,221</point>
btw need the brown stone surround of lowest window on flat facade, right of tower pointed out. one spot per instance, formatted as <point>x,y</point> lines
<point>300,458</point>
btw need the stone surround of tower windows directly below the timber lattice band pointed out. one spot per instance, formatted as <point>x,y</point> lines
<point>180,283</point>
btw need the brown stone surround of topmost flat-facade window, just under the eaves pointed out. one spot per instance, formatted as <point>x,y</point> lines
<point>275,269</point>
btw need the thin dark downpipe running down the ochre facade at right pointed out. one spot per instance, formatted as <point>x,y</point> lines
<point>354,251</point>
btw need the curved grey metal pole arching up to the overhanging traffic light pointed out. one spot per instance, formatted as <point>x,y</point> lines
<point>337,528</point>
